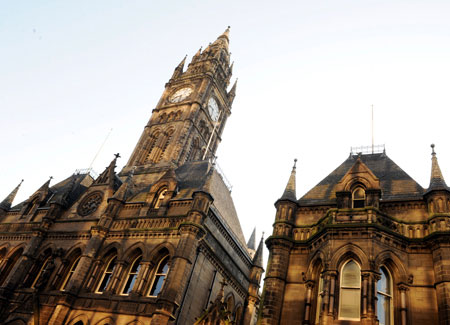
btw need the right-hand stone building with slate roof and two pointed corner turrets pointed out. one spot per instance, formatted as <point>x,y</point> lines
<point>367,245</point>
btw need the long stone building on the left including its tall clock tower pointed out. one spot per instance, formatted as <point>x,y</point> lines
<point>149,245</point>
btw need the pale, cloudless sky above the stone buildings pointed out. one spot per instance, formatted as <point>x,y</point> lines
<point>308,72</point>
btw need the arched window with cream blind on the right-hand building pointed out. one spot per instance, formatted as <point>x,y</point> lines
<point>350,295</point>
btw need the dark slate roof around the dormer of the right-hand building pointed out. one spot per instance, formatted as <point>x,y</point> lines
<point>395,183</point>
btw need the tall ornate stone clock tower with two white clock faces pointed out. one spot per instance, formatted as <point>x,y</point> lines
<point>187,123</point>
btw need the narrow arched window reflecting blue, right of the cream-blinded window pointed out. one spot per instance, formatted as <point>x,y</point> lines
<point>384,295</point>
